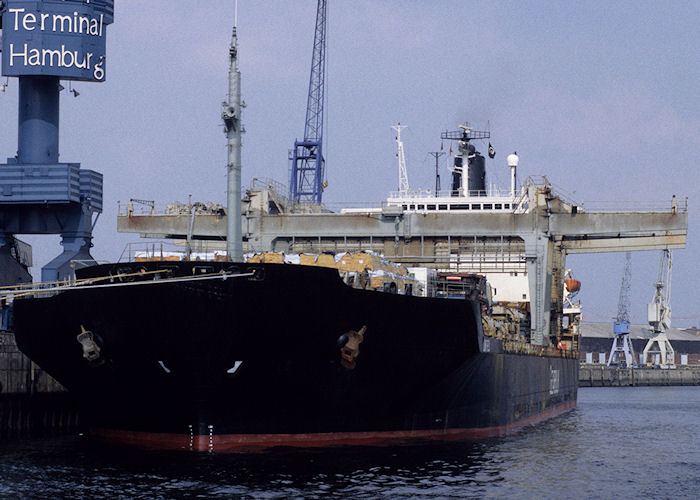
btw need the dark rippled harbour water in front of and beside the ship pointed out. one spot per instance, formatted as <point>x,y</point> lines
<point>619,442</point>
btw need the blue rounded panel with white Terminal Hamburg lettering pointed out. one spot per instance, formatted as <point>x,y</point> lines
<point>61,38</point>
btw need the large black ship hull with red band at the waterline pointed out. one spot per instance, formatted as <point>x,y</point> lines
<point>256,360</point>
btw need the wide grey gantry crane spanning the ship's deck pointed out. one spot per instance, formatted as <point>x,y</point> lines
<point>531,237</point>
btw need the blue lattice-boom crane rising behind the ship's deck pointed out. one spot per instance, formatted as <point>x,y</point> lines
<point>308,164</point>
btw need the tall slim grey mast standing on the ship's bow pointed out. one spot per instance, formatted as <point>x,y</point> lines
<point>231,115</point>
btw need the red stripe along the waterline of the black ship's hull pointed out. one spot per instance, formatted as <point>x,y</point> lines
<point>233,443</point>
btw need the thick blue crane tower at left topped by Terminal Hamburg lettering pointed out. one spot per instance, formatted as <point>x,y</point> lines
<point>39,193</point>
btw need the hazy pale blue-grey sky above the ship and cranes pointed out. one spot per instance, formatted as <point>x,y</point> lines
<point>601,97</point>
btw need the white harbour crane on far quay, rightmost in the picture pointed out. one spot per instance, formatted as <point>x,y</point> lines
<point>658,350</point>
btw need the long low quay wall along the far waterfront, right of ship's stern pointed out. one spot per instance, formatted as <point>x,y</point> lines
<point>602,376</point>
